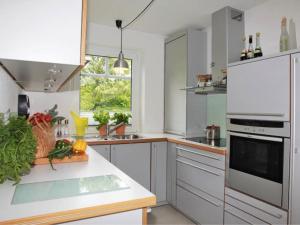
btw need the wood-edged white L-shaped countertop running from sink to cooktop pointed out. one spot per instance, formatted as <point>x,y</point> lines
<point>156,137</point>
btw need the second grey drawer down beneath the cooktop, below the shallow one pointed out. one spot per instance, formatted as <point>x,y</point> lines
<point>203,177</point>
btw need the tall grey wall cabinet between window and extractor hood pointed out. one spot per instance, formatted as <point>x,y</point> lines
<point>185,57</point>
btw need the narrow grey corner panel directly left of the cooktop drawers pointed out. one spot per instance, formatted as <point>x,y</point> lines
<point>171,174</point>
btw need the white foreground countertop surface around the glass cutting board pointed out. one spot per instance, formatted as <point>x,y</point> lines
<point>96,166</point>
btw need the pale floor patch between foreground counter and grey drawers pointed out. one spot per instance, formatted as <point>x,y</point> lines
<point>167,215</point>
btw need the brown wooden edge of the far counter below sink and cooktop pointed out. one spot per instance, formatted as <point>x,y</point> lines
<point>173,140</point>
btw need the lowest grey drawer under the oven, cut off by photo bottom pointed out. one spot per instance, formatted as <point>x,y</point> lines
<point>233,216</point>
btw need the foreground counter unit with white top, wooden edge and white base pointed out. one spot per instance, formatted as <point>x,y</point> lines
<point>127,205</point>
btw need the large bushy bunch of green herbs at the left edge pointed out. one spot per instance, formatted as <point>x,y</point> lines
<point>17,148</point>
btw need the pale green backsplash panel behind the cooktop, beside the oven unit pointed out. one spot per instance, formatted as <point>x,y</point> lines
<point>216,111</point>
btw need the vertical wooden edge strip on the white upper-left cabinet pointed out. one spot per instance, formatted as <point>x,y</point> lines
<point>83,32</point>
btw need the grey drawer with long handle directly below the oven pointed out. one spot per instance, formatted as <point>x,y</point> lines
<point>261,210</point>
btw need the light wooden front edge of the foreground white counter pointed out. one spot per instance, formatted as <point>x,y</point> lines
<point>85,213</point>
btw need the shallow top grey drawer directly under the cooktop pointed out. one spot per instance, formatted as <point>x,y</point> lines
<point>204,157</point>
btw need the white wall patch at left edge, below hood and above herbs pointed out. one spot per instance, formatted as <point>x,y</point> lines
<point>9,91</point>
